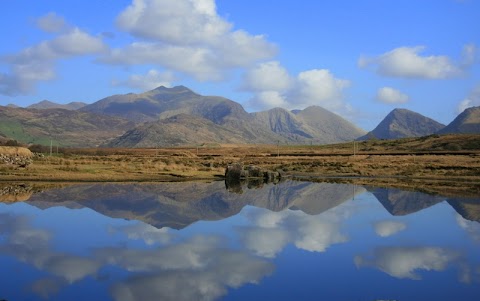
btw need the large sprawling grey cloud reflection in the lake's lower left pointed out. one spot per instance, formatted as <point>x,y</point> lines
<point>200,268</point>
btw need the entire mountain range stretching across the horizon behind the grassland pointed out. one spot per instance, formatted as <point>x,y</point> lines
<point>178,116</point>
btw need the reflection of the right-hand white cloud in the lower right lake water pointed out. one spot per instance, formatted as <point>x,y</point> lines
<point>403,262</point>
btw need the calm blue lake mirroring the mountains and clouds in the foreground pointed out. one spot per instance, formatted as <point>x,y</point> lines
<point>198,241</point>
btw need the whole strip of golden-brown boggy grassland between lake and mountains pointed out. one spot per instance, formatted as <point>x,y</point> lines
<point>447,161</point>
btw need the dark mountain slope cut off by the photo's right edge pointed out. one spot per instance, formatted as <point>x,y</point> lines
<point>468,122</point>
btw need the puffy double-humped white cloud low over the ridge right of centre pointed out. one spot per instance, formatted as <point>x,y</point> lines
<point>274,87</point>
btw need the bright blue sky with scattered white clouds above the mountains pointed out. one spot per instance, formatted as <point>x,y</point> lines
<point>359,59</point>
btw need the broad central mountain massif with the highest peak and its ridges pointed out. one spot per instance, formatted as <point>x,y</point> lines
<point>214,119</point>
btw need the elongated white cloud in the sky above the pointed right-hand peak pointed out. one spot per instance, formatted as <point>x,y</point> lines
<point>407,62</point>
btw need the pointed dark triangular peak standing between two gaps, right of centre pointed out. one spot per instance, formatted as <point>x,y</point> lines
<point>402,123</point>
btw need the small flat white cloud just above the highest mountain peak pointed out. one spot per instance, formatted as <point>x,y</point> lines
<point>152,79</point>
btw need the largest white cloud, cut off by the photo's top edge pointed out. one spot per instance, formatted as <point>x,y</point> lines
<point>188,37</point>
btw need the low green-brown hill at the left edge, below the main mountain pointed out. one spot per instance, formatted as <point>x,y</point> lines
<point>64,127</point>
